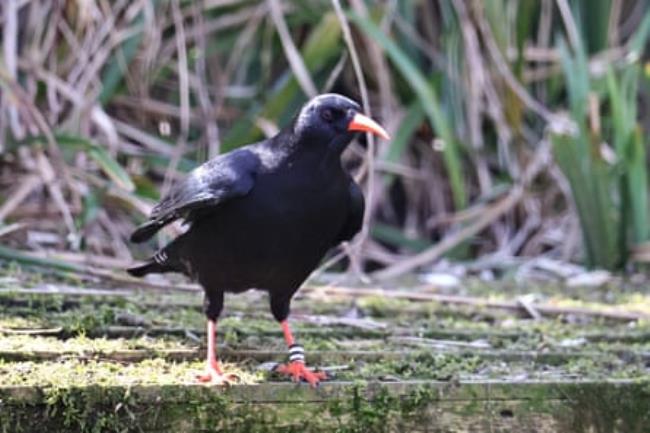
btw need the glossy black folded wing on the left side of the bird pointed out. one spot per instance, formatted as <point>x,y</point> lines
<point>218,180</point>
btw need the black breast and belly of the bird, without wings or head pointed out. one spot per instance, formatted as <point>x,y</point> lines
<point>273,237</point>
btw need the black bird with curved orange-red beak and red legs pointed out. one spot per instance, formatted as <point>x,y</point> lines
<point>263,216</point>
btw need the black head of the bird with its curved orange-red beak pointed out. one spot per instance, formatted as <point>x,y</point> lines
<point>332,120</point>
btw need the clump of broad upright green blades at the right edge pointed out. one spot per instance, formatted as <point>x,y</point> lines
<point>606,164</point>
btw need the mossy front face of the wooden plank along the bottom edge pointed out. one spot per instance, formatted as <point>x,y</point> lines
<point>419,406</point>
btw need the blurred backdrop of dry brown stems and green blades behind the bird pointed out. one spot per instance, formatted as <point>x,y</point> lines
<point>105,103</point>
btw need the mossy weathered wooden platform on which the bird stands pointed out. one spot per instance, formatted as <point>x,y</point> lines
<point>70,346</point>
